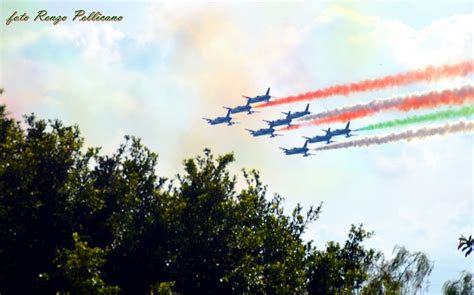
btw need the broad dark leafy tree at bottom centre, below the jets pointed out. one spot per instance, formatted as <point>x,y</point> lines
<point>229,242</point>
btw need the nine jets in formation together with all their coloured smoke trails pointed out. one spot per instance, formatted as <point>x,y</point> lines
<point>432,106</point>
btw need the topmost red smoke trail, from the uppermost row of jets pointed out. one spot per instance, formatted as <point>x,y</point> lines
<point>427,74</point>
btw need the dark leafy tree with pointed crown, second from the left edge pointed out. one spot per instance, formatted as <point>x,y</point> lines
<point>130,218</point>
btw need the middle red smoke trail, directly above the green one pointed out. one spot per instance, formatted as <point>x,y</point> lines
<point>413,102</point>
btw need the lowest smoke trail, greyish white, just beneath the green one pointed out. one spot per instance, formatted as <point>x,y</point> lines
<point>461,126</point>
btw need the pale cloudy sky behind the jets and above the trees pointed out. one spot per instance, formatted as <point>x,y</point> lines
<point>166,65</point>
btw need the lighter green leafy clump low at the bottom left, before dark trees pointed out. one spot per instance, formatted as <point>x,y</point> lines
<point>81,267</point>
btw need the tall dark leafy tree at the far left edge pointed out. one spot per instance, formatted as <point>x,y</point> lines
<point>36,182</point>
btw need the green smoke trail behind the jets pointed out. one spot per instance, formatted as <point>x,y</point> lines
<point>441,115</point>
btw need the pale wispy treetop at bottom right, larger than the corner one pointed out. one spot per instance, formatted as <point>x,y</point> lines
<point>406,273</point>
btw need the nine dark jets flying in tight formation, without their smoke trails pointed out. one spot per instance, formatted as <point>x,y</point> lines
<point>285,121</point>
